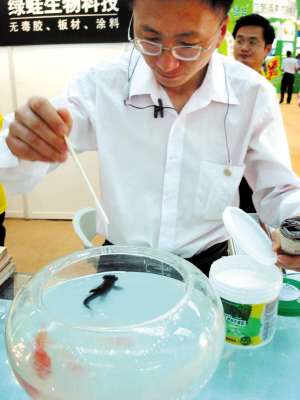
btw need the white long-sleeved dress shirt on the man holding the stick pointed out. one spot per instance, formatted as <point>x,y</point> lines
<point>162,181</point>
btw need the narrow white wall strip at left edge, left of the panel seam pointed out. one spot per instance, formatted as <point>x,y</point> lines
<point>6,99</point>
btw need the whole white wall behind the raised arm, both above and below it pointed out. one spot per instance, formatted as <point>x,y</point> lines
<point>44,70</point>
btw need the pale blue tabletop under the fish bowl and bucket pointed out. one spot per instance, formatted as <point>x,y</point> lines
<point>264,373</point>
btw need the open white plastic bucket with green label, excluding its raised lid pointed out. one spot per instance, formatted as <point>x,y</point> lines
<point>249,292</point>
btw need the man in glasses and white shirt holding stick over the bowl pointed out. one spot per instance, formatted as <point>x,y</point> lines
<point>174,128</point>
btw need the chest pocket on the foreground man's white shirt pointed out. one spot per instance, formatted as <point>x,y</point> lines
<point>215,190</point>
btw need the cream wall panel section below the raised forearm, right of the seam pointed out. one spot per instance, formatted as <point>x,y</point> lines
<point>62,192</point>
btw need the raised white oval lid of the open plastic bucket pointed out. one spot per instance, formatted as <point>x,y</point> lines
<point>249,235</point>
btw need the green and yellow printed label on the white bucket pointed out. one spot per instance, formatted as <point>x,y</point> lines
<point>249,324</point>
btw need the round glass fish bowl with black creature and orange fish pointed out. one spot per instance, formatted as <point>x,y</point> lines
<point>114,323</point>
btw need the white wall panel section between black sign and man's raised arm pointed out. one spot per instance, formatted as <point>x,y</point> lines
<point>44,70</point>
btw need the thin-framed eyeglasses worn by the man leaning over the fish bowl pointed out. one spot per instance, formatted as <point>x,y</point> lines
<point>187,53</point>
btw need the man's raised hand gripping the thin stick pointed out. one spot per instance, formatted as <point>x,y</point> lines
<point>37,132</point>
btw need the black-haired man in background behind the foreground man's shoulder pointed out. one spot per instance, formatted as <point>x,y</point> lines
<point>253,36</point>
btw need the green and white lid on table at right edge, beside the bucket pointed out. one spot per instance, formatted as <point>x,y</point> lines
<point>289,300</point>
